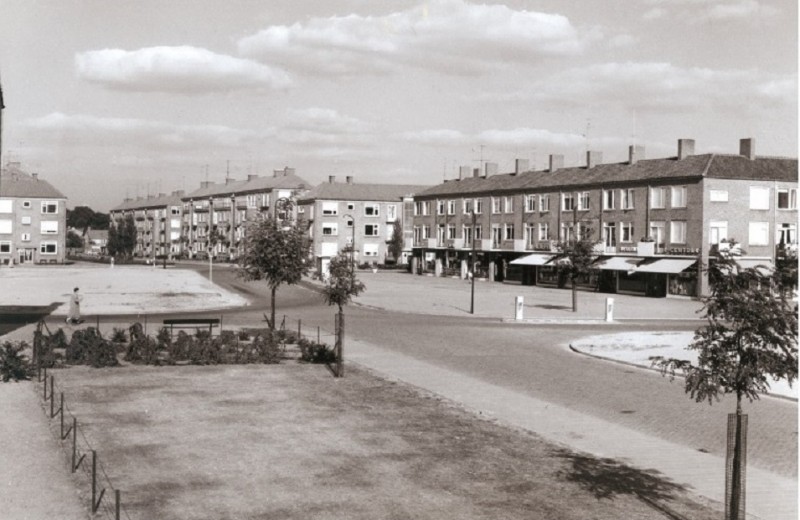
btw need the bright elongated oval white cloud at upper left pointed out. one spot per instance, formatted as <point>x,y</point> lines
<point>176,69</point>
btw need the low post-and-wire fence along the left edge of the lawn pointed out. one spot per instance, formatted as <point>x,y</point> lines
<point>102,503</point>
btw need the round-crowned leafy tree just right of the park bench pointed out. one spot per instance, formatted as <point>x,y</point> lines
<point>275,254</point>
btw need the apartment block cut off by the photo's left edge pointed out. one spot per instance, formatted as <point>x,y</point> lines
<point>33,219</point>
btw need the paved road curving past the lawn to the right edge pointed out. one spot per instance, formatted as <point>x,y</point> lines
<point>534,359</point>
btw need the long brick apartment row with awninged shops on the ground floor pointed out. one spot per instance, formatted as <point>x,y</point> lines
<point>655,221</point>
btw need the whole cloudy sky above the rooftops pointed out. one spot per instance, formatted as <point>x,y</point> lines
<point>113,98</point>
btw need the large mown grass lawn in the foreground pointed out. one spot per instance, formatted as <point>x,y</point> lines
<point>291,442</point>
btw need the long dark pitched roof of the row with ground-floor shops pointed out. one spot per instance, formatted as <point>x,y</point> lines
<point>645,171</point>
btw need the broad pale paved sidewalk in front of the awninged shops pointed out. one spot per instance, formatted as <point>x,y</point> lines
<point>404,292</point>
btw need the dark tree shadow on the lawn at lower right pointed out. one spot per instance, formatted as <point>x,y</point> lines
<point>608,478</point>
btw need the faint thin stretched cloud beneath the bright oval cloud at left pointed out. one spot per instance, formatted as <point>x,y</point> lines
<point>136,133</point>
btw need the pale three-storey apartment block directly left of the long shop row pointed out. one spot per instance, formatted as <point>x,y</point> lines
<point>362,216</point>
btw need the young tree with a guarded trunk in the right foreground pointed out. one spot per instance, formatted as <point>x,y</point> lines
<point>750,337</point>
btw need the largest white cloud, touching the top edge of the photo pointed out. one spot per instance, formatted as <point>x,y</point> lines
<point>444,35</point>
